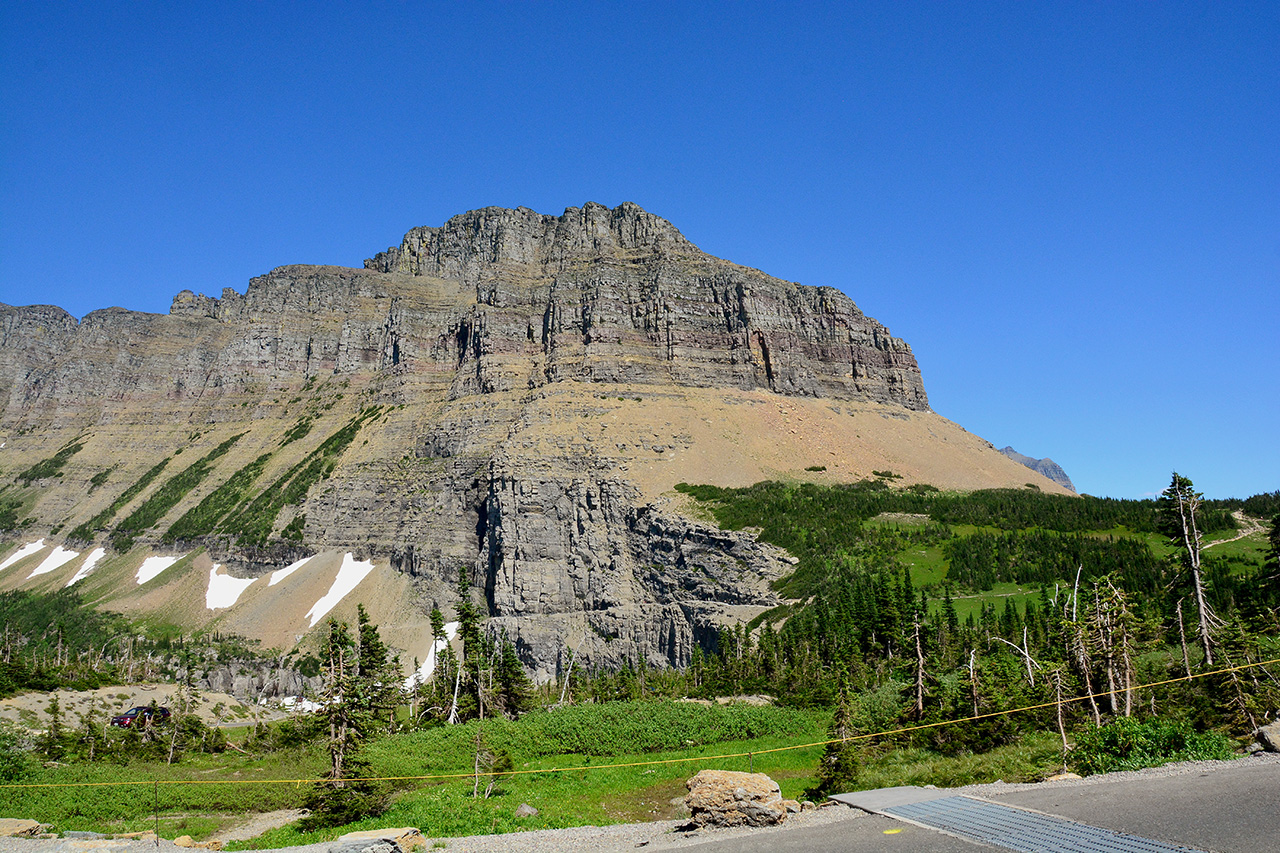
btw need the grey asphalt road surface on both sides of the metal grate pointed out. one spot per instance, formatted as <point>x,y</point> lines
<point>1222,810</point>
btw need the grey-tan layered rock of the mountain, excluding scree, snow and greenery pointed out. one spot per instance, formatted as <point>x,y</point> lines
<point>500,352</point>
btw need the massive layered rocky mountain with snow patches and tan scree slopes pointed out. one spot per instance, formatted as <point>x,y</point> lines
<point>511,394</point>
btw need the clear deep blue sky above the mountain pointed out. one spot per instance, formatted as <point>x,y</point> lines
<point>1072,212</point>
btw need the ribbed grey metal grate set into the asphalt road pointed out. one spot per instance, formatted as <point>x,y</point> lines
<point>1022,831</point>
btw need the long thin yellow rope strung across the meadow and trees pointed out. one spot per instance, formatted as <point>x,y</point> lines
<point>644,764</point>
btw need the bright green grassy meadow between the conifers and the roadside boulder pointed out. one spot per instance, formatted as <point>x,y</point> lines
<point>568,788</point>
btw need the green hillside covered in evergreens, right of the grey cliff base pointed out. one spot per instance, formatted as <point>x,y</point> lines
<point>950,595</point>
